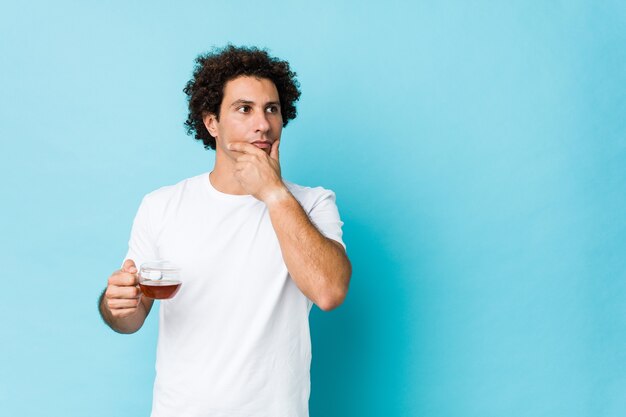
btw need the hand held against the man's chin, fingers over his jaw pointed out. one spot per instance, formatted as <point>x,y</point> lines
<point>257,172</point>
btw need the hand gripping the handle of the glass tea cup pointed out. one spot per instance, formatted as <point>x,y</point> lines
<point>123,295</point>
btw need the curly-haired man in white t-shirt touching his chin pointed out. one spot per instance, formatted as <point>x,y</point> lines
<point>255,250</point>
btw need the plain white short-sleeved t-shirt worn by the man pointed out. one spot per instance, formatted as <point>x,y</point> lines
<point>235,340</point>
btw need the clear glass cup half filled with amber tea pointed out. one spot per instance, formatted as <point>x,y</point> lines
<point>159,279</point>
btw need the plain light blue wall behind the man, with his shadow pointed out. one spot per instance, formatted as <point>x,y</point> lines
<point>478,152</point>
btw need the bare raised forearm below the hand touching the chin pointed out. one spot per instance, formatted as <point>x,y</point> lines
<point>318,265</point>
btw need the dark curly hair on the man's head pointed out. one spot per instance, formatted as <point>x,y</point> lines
<point>214,69</point>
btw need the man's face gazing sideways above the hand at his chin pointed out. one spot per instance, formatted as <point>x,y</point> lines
<point>250,112</point>
